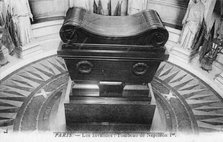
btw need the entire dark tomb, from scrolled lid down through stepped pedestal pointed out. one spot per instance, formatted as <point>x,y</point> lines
<point>117,54</point>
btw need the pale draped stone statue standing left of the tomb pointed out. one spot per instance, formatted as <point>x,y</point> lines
<point>21,15</point>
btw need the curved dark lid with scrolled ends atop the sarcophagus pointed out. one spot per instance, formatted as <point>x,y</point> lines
<point>143,28</point>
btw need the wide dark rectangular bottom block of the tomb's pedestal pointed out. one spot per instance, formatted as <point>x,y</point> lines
<point>100,114</point>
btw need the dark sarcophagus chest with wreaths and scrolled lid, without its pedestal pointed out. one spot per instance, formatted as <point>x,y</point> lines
<point>124,49</point>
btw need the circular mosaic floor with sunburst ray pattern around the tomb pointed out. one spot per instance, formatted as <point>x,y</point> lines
<point>29,98</point>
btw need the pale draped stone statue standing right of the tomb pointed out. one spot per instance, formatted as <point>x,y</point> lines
<point>191,23</point>
